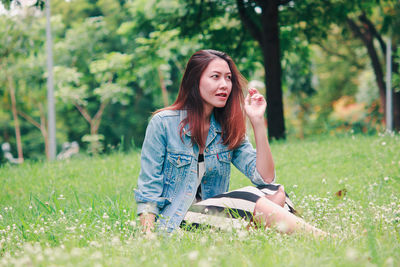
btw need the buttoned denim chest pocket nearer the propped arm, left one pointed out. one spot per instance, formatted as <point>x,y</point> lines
<point>176,167</point>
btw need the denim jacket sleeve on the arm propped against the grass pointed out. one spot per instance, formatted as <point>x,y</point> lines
<point>150,182</point>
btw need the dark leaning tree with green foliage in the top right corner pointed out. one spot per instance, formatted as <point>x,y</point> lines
<point>367,20</point>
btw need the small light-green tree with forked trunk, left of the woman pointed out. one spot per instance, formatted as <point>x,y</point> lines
<point>111,76</point>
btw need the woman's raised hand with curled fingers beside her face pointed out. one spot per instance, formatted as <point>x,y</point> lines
<point>255,105</point>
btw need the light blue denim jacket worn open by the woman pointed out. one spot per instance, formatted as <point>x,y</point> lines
<point>168,179</point>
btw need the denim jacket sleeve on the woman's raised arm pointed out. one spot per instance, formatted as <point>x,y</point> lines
<point>244,159</point>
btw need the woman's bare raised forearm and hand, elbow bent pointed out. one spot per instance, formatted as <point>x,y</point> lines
<point>255,106</point>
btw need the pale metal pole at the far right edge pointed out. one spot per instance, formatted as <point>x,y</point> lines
<point>389,104</point>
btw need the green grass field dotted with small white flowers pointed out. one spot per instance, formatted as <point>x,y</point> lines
<point>82,212</point>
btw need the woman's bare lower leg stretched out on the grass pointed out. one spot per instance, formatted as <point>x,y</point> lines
<point>273,215</point>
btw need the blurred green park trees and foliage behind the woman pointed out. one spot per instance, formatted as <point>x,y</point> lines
<point>322,64</point>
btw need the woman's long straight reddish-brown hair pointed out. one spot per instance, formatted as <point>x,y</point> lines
<point>231,117</point>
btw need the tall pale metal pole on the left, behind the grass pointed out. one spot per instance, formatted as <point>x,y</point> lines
<point>50,87</point>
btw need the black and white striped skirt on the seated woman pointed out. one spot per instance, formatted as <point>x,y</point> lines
<point>231,209</point>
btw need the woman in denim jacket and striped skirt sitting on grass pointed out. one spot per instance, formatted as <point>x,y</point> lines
<point>188,148</point>
